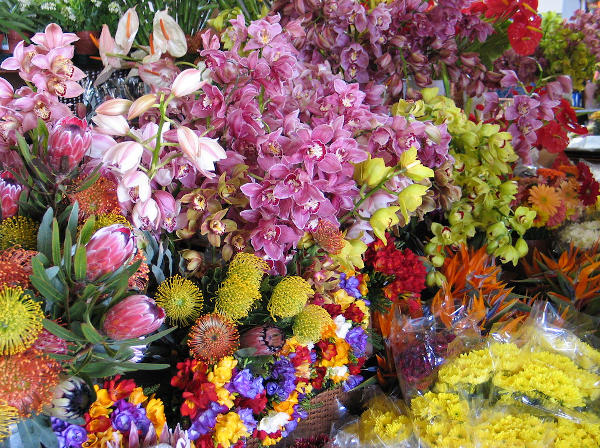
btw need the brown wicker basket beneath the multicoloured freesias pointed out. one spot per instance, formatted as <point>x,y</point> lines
<point>324,412</point>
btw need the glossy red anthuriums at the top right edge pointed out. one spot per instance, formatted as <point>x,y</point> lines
<point>524,33</point>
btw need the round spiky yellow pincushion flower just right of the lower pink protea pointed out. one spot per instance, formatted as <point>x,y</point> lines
<point>181,299</point>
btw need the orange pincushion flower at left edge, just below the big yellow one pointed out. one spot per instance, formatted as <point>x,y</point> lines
<point>28,380</point>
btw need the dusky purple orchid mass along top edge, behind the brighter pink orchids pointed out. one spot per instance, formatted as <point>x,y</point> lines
<point>393,41</point>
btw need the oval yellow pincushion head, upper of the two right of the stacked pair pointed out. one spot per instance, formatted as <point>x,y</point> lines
<point>289,297</point>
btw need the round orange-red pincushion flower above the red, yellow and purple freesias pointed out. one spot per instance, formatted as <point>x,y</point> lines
<point>213,337</point>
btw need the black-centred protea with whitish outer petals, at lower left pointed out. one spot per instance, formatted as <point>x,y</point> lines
<point>72,398</point>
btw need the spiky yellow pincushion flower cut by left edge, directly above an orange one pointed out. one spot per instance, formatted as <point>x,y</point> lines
<point>20,321</point>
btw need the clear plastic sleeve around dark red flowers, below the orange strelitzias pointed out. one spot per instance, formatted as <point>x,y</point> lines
<point>421,346</point>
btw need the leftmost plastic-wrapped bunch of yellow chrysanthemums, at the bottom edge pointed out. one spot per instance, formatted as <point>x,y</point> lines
<point>384,424</point>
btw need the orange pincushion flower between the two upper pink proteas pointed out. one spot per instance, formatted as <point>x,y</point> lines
<point>99,198</point>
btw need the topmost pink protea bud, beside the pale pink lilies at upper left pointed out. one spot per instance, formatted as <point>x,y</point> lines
<point>69,141</point>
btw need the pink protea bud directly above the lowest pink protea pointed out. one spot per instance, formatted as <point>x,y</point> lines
<point>108,249</point>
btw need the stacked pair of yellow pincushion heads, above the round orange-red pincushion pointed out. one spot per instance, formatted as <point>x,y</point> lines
<point>241,289</point>
